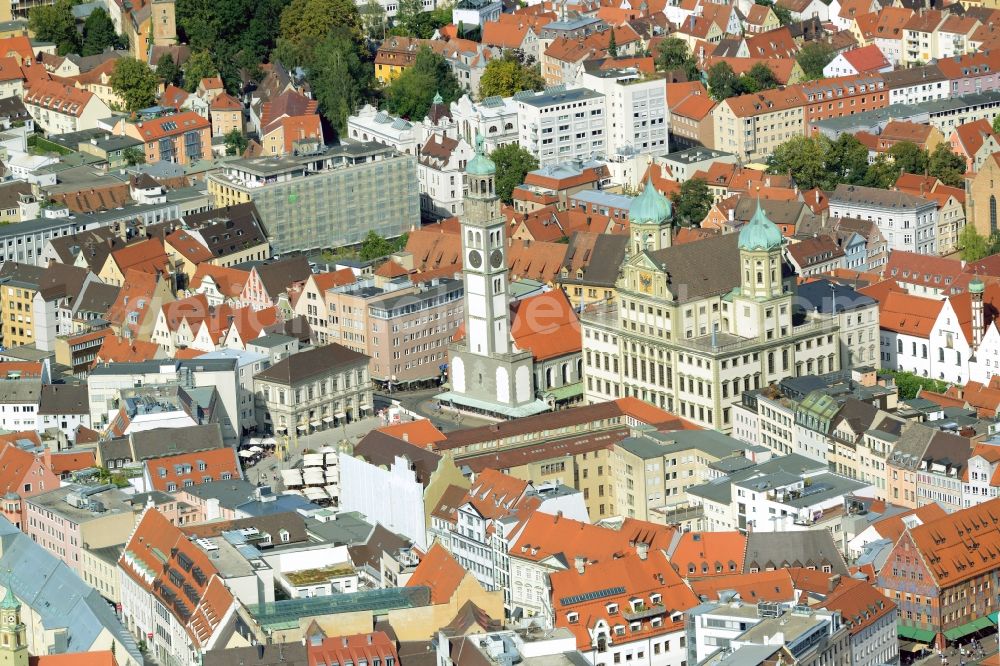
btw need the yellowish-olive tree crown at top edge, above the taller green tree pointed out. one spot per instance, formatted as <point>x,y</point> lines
<point>305,23</point>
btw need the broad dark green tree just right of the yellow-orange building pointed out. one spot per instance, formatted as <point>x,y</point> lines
<point>410,94</point>
